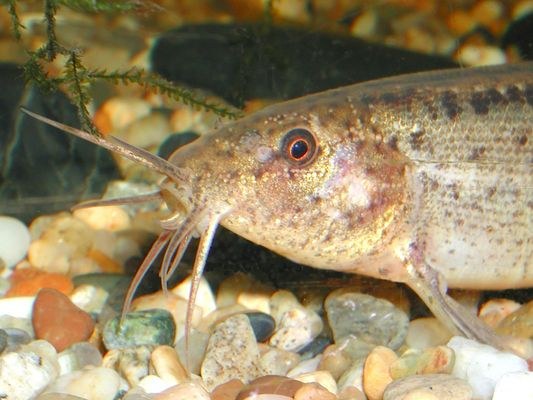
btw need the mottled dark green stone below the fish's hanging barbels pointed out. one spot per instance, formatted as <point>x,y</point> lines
<point>146,327</point>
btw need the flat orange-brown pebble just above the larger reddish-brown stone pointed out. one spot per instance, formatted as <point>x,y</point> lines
<point>28,281</point>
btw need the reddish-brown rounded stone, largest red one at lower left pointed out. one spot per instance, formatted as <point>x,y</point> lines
<point>57,320</point>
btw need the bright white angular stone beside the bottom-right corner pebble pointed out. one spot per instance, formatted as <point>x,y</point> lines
<point>482,366</point>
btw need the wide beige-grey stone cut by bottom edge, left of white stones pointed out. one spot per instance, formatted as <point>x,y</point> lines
<point>430,387</point>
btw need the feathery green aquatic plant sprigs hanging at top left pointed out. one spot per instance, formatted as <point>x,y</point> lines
<point>77,78</point>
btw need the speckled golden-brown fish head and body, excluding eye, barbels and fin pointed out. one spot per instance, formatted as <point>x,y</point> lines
<point>431,167</point>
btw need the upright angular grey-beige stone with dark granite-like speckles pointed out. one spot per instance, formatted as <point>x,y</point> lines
<point>232,353</point>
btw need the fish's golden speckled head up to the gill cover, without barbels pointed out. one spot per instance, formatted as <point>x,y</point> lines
<point>305,178</point>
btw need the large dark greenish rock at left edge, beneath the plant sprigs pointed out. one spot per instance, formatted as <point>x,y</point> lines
<point>43,170</point>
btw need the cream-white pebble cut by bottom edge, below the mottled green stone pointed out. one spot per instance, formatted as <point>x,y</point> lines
<point>91,383</point>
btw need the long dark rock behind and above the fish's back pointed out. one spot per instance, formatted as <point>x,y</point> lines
<point>244,61</point>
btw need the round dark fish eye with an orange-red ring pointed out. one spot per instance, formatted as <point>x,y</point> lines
<point>299,146</point>
